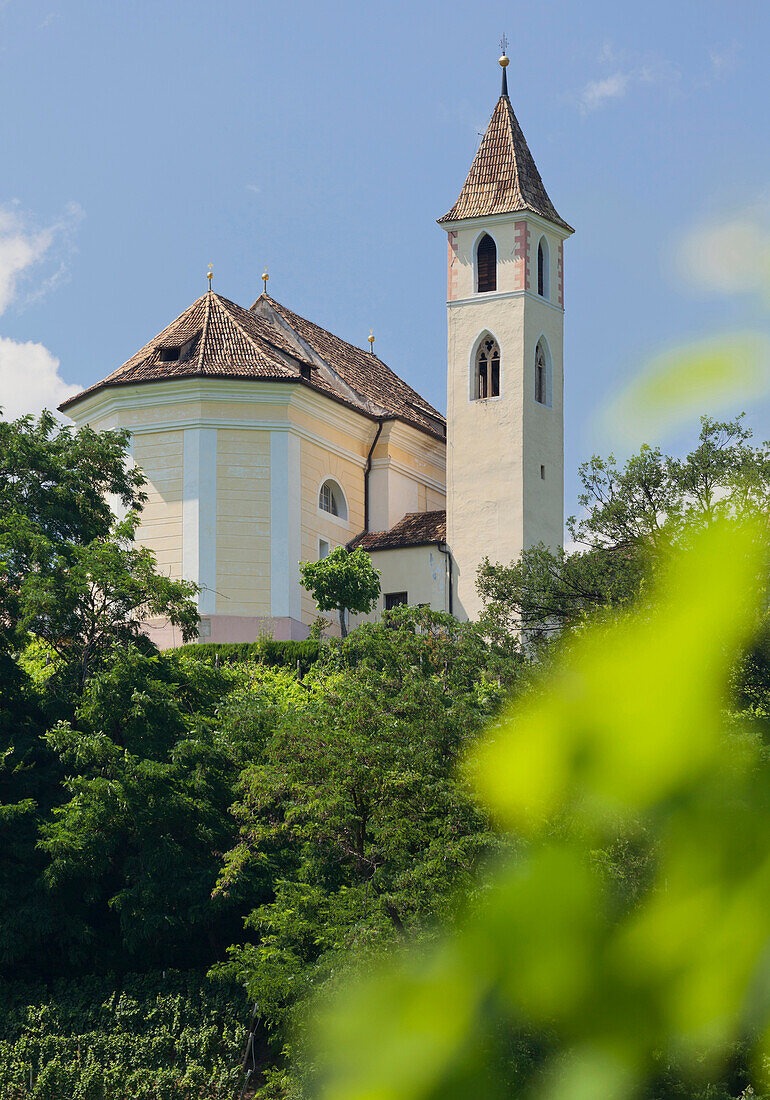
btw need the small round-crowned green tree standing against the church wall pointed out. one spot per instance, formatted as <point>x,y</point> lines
<point>344,581</point>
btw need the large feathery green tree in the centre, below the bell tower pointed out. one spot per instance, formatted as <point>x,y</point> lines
<point>356,806</point>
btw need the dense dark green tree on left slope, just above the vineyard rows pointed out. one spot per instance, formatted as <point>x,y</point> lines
<point>135,849</point>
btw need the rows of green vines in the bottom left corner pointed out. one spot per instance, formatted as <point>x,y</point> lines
<point>177,1037</point>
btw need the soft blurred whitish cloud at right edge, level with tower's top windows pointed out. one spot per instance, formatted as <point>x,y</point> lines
<point>728,256</point>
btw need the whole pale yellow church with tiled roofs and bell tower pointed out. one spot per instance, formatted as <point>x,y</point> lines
<point>267,441</point>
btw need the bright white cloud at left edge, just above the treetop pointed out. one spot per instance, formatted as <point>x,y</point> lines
<point>30,380</point>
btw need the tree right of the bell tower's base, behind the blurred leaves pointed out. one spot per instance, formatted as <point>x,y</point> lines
<point>632,518</point>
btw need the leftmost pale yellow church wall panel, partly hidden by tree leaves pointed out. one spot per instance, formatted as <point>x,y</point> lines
<point>161,457</point>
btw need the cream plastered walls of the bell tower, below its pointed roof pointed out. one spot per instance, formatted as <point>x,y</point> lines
<point>505,454</point>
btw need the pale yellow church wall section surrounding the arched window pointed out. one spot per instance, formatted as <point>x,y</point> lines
<point>317,465</point>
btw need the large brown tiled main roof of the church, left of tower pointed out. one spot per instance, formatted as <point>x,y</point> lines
<point>215,338</point>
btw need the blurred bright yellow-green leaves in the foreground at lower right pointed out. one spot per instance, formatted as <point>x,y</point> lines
<point>631,735</point>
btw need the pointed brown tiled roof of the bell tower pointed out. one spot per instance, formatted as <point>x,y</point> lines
<point>503,178</point>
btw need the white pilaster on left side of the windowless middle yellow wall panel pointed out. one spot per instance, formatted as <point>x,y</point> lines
<point>200,515</point>
